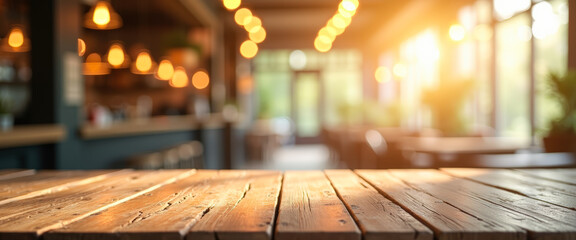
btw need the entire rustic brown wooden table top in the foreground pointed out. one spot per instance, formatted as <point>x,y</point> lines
<point>252,204</point>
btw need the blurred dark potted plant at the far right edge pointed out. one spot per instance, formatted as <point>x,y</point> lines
<point>561,136</point>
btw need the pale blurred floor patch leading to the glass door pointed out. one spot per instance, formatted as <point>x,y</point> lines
<point>296,157</point>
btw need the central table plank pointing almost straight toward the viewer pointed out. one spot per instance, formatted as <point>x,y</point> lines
<point>310,209</point>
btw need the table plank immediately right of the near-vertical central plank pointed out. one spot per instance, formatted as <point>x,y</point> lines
<point>378,217</point>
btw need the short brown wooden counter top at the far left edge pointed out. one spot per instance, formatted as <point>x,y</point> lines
<point>31,135</point>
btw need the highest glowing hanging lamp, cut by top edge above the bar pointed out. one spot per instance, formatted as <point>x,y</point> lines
<point>102,17</point>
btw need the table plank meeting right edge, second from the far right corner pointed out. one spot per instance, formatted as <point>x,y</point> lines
<point>553,192</point>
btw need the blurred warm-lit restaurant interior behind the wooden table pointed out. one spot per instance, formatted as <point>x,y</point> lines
<point>287,84</point>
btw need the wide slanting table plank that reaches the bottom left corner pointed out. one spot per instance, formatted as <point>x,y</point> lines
<point>29,218</point>
